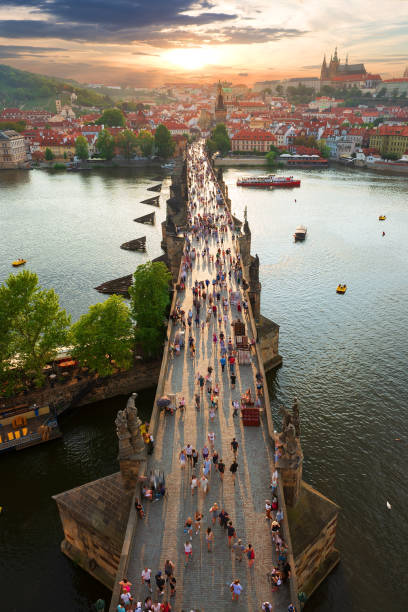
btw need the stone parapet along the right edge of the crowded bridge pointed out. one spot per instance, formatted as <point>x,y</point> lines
<point>269,420</point>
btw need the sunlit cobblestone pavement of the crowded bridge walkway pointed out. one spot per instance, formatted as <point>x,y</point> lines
<point>204,583</point>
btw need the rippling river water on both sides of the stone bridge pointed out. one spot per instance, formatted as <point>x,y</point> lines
<point>344,357</point>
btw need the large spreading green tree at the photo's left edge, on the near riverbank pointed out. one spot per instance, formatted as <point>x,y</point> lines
<point>34,323</point>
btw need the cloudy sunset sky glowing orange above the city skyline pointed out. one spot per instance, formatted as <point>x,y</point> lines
<point>143,43</point>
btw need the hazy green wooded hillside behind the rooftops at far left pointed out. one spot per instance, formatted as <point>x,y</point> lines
<point>30,91</point>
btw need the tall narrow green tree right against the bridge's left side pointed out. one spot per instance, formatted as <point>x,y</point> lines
<point>149,295</point>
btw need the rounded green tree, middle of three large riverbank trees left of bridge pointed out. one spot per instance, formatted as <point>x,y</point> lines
<point>103,335</point>
